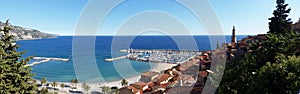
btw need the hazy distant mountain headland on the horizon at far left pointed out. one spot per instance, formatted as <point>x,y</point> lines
<point>22,33</point>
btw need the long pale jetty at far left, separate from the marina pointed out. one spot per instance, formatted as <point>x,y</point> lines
<point>45,59</point>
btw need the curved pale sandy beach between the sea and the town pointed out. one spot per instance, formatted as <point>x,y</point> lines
<point>96,86</point>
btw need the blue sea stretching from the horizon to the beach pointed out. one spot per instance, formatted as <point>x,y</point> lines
<point>104,47</point>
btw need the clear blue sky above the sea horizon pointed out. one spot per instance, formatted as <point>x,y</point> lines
<point>62,16</point>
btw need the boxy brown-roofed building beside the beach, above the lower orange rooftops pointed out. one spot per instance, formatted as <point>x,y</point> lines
<point>148,76</point>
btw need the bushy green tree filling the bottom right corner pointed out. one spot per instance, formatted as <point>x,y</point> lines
<point>284,76</point>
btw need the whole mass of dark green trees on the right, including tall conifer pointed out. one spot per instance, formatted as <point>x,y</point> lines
<point>272,67</point>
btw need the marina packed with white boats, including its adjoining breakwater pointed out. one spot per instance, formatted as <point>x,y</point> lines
<point>158,56</point>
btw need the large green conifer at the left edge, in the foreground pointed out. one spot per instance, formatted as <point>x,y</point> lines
<point>15,76</point>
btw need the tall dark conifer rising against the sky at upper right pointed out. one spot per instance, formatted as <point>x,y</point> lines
<point>280,24</point>
